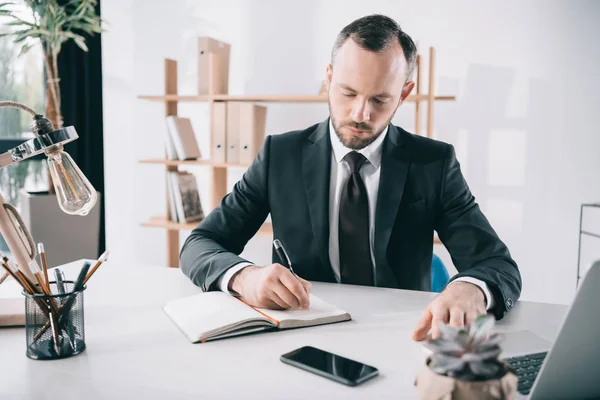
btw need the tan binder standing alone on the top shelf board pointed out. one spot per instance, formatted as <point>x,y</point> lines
<point>207,45</point>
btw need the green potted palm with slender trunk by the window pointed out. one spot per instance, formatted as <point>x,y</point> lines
<point>53,24</point>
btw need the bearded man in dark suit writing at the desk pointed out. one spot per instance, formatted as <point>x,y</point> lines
<point>356,200</point>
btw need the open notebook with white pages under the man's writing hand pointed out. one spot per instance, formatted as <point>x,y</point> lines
<point>216,315</point>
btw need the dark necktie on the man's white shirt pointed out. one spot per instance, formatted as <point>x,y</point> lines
<point>355,254</point>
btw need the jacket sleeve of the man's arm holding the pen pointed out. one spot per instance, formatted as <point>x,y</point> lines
<point>214,246</point>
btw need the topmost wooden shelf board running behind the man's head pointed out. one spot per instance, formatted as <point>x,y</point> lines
<point>268,98</point>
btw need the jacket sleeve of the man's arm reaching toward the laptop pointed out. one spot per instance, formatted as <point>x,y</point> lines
<point>474,246</point>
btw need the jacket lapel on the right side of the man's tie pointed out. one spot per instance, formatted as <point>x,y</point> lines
<point>394,168</point>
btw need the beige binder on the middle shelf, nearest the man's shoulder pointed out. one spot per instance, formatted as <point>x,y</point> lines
<point>253,119</point>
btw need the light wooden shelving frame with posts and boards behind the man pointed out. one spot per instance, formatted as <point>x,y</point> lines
<point>219,170</point>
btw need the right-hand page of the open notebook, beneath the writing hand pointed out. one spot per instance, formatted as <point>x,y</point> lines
<point>318,312</point>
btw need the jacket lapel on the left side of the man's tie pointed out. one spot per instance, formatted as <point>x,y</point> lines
<point>316,170</point>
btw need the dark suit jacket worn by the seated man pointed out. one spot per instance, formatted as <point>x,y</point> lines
<point>421,189</point>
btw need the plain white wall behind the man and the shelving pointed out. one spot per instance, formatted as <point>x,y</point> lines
<point>525,74</point>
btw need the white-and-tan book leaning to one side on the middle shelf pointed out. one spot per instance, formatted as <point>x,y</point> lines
<point>181,141</point>
